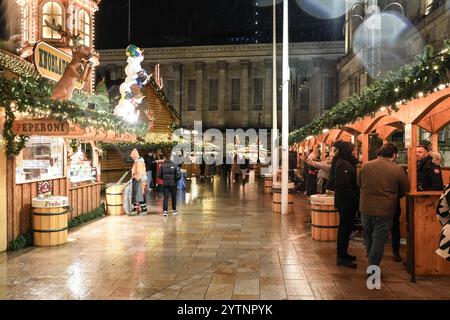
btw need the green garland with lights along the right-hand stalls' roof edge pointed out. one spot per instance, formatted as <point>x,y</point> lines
<point>424,75</point>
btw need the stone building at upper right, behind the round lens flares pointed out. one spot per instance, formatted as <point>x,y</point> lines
<point>431,21</point>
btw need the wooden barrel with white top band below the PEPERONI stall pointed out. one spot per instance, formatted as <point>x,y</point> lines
<point>49,221</point>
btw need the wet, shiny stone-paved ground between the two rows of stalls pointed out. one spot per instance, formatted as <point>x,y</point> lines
<point>224,244</point>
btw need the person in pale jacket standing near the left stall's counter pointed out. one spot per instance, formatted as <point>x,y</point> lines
<point>139,184</point>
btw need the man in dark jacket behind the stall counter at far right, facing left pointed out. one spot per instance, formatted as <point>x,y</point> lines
<point>429,175</point>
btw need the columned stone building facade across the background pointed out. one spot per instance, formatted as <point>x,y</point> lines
<point>230,86</point>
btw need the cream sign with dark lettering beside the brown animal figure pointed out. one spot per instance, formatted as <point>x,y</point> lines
<point>51,62</point>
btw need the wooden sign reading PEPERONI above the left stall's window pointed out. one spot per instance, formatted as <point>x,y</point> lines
<point>41,127</point>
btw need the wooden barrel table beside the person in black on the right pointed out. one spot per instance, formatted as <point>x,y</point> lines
<point>324,218</point>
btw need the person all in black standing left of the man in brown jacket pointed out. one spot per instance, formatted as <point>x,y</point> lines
<point>346,200</point>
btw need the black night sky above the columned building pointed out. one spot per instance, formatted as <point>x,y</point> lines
<point>157,23</point>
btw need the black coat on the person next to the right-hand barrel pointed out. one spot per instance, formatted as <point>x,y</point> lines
<point>346,196</point>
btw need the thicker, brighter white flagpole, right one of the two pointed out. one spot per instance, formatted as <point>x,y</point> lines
<point>285,122</point>
